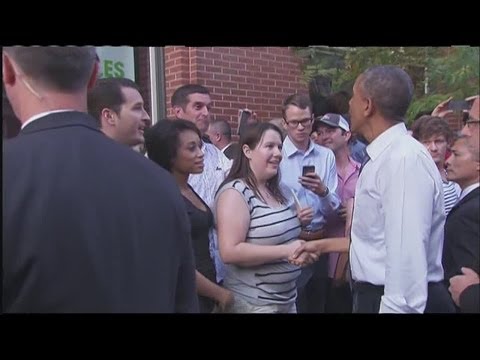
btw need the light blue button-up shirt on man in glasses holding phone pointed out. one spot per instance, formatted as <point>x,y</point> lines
<point>291,169</point>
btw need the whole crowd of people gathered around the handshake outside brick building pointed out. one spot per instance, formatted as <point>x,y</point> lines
<point>333,208</point>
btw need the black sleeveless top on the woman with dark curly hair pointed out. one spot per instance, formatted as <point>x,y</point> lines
<point>200,224</point>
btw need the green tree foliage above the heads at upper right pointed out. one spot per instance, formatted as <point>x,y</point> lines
<point>437,72</point>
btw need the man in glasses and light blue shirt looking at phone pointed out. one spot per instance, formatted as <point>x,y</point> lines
<point>314,187</point>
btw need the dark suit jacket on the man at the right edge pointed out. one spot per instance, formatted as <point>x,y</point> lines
<point>461,246</point>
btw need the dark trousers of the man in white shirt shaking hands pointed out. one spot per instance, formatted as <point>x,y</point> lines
<point>367,297</point>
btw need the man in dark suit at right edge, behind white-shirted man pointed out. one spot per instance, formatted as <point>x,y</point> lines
<point>462,228</point>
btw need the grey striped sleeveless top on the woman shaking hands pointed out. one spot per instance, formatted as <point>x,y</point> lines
<point>271,283</point>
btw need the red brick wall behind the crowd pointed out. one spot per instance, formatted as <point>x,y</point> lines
<point>258,78</point>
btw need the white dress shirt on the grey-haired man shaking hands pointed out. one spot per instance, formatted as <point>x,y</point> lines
<point>398,222</point>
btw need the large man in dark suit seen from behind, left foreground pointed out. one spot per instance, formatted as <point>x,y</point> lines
<point>88,224</point>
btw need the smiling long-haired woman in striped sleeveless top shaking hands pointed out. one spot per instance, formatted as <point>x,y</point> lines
<point>257,231</point>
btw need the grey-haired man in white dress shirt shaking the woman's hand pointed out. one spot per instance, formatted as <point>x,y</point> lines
<point>397,229</point>
